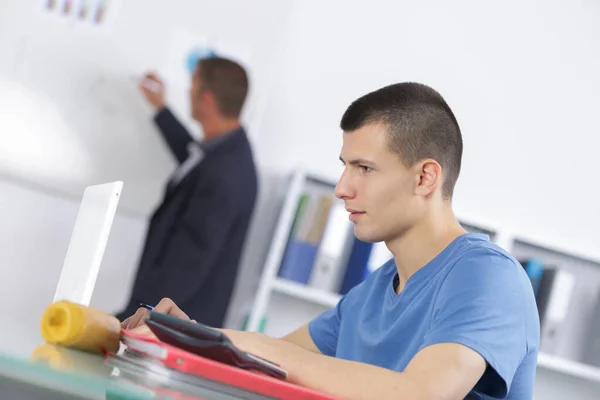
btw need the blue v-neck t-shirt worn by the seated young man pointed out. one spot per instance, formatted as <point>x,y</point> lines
<point>473,293</point>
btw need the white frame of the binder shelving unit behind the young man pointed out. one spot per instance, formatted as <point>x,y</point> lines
<point>517,244</point>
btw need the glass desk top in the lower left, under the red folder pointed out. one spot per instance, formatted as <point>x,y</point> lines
<point>30,368</point>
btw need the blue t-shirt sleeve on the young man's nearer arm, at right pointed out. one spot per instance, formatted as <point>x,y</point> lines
<point>481,305</point>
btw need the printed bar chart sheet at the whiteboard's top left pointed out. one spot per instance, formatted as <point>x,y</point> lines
<point>96,15</point>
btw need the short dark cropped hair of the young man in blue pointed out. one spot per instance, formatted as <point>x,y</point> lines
<point>419,122</point>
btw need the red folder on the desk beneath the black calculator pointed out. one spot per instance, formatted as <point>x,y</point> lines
<point>193,364</point>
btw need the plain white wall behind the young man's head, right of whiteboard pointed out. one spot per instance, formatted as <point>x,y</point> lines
<point>521,77</point>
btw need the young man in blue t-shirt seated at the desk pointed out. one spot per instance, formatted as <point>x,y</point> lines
<point>452,316</point>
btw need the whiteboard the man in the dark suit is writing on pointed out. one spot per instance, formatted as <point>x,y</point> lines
<point>71,112</point>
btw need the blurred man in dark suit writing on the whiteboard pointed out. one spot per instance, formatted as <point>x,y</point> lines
<point>195,238</point>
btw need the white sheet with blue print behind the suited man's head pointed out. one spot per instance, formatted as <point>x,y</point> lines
<point>184,50</point>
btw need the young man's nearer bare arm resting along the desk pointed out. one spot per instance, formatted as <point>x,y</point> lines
<point>445,371</point>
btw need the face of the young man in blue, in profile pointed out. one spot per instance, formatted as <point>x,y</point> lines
<point>376,187</point>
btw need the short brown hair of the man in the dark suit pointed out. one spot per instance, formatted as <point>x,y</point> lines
<point>228,81</point>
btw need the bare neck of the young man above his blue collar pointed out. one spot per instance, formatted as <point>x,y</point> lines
<point>423,242</point>
